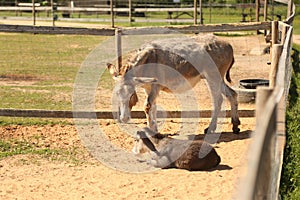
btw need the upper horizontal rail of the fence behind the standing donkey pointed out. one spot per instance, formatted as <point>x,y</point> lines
<point>136,31</point>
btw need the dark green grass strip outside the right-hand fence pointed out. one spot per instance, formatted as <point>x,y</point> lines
<point>290,177</point>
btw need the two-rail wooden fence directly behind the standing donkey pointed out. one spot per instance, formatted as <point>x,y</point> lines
<point>254,26</point>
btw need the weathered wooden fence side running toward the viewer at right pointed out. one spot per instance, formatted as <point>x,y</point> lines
<point>266,152</point>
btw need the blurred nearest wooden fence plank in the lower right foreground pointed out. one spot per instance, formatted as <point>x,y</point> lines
<point>250,187</point>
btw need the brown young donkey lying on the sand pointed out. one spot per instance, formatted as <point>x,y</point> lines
<point>168,152</point>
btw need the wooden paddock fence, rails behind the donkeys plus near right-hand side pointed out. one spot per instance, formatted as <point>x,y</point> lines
<point>264,165</point>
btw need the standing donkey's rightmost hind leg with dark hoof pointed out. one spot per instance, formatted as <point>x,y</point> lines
<point>231,95</point>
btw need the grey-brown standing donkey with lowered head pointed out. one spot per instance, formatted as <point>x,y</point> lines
<point>176,65</point>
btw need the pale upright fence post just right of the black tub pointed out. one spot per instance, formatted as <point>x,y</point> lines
<point>276,52</point>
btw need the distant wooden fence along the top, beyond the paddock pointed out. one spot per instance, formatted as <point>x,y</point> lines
<point>195,8</point>
